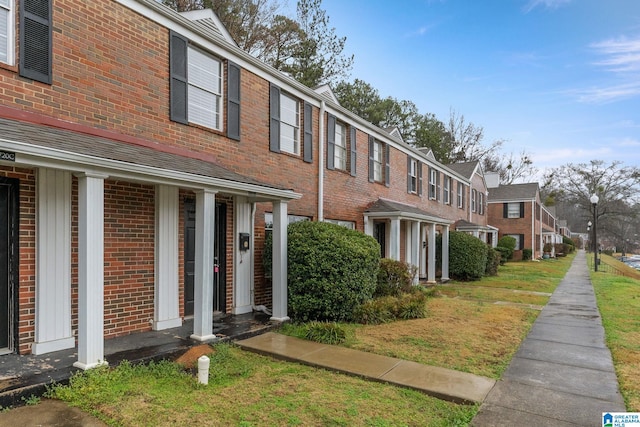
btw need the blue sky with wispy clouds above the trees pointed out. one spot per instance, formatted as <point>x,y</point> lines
<point>557,78</point>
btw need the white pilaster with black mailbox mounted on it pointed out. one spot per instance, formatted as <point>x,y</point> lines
<point>242,259</point>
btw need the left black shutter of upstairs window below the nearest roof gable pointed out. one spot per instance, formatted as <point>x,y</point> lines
<point>178,77</point>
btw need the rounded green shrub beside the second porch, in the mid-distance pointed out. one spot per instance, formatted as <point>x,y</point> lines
<point>467,256</point>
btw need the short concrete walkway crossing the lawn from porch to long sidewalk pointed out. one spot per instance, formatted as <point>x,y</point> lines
<point>439,382</point>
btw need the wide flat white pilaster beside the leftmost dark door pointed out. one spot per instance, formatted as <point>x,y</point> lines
<point>53,262</point>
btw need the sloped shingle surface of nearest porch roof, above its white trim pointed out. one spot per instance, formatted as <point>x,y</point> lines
<point>99,147</point>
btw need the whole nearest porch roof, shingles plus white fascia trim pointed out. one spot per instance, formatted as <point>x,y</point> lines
<point>45,145</point>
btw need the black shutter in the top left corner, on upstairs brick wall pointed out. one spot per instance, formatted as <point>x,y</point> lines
<point>35,40</point>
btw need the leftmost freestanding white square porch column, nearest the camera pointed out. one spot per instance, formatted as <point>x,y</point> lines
<point>90,271</point>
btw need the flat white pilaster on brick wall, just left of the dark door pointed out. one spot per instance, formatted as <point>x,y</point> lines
<point>167,292</point>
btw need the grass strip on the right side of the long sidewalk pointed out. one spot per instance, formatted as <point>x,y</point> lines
<point>619,303</point>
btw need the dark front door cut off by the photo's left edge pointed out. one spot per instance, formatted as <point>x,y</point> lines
<point>8,258</point>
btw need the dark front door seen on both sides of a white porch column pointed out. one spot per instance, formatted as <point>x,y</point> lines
<point>219,268</point>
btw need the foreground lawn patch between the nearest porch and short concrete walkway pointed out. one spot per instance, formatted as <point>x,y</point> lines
<point>247,389</point>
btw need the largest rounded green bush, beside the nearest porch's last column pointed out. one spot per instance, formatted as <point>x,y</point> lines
<point>331,270</point>
